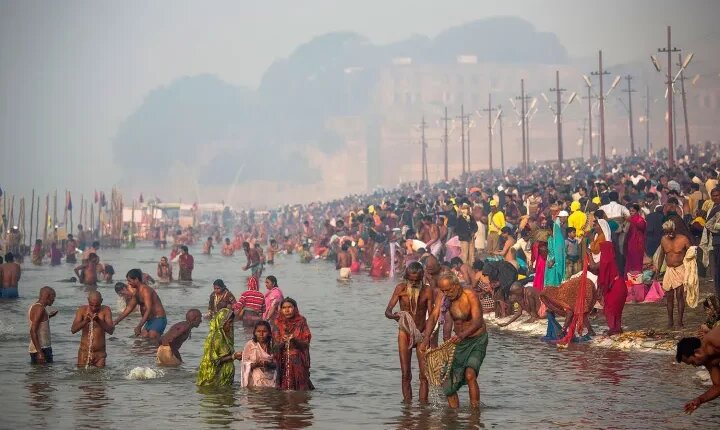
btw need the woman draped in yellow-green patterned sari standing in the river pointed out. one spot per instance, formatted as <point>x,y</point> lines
<point>217,344</point>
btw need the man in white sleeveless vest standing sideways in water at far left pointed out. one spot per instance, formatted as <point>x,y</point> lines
<point>40,348</point>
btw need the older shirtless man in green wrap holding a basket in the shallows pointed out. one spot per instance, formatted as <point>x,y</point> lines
<point>470,337</point>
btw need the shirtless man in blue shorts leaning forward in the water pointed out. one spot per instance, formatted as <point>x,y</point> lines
<point>153,321</point>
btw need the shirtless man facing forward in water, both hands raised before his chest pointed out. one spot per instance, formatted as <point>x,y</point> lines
<point>94,320</point>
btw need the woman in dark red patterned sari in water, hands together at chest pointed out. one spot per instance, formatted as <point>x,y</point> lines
<point>292,338</point>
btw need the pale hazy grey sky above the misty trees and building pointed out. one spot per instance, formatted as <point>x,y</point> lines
<point>73,70</point>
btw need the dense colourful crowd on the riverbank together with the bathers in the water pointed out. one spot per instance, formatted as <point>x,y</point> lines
<point>558,241</point>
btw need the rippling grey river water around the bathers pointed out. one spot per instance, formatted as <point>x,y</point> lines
<point>524,383</point>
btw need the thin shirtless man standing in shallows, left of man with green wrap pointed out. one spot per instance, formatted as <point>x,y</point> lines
<point>415,300</point>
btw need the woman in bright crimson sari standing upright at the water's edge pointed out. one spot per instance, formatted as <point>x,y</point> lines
<point>611,287</point>
